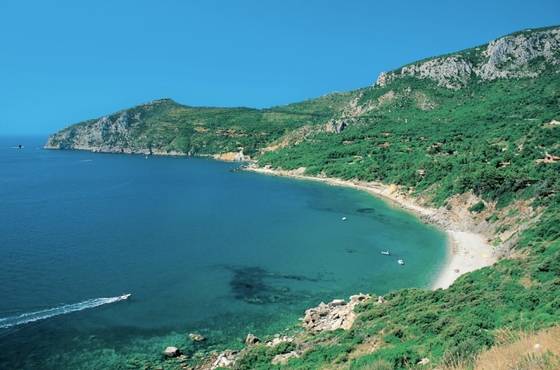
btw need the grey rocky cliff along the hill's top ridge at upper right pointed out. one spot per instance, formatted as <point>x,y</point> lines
<point>525,54</point>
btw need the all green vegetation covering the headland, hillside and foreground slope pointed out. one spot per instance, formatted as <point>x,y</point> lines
<point>490,138</point>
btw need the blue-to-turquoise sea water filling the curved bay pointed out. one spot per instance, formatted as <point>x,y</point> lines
<point>201,247</point>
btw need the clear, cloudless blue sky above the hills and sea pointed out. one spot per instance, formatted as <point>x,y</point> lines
<point>66,61</point>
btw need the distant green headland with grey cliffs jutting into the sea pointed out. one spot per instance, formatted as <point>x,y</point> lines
<point>168,126</point>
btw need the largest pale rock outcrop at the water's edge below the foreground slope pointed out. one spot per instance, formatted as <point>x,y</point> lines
<point>336,315</point>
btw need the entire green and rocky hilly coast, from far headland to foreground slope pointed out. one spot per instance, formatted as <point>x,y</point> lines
<point>475,132</point>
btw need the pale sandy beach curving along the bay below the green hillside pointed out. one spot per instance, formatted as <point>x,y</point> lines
<point>467,250</point>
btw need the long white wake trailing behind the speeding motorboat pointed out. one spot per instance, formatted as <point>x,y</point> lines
<point>28,317</point>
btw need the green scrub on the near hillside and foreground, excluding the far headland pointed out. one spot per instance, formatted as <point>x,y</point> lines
<point>488,138</point>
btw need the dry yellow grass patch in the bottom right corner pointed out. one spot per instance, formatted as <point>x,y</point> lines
<point>520,351</point>
